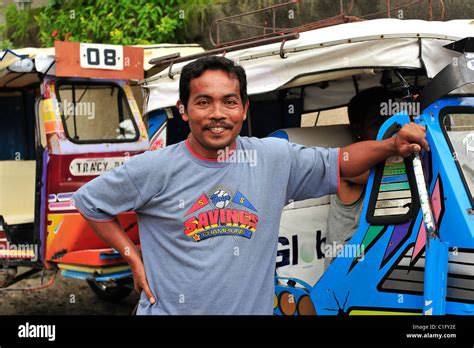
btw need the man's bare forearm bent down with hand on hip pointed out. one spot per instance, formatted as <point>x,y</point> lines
<point>114,235</point>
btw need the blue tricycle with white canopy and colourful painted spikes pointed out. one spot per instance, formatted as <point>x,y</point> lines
<point>296,83</point>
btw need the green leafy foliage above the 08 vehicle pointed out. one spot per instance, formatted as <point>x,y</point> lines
<point>124,22</point>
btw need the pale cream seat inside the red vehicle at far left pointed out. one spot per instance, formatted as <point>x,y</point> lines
<point>17,191</point>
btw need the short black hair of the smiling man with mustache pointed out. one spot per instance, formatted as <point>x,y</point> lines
<point>198,67</point>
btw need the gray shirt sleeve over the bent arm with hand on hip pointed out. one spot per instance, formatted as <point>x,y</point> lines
<point>108,195</point>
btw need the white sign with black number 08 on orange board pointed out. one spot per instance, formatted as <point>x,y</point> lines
<point>98,56</point>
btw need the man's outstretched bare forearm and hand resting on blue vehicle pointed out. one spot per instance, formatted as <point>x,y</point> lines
<point>357,158</point>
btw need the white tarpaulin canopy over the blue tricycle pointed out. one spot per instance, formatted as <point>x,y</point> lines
<point>381,43</point>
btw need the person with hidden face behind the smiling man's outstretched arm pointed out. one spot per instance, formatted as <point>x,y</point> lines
<point>346,205</point>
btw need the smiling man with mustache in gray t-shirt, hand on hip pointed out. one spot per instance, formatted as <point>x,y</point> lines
<point>209,227</point>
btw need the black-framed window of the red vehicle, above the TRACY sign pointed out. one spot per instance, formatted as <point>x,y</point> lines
<point>94,113</point>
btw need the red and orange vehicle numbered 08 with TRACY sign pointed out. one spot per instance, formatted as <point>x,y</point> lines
<point>63,125</point>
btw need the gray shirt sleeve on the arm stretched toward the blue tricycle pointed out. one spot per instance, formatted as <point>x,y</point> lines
<point>314,172</point>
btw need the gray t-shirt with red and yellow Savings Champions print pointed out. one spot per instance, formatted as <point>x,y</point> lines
<point>209,229</point>
